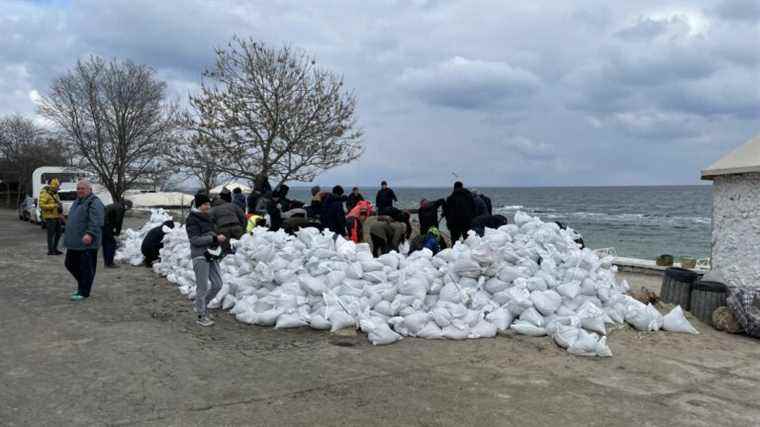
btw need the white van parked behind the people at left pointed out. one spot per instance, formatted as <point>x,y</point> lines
<point>67,177</point>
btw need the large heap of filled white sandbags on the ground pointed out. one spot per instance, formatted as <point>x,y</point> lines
<point>529,276</point>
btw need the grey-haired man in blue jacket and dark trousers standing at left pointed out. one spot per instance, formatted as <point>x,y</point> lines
<point>83,237</point>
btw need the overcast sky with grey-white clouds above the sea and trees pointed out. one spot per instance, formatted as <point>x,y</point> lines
<point>501,93</point>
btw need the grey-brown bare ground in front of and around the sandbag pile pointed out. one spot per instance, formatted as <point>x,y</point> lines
<point>131,354</point>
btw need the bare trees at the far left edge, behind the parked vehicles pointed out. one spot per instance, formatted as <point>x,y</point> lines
<point>24,147</point>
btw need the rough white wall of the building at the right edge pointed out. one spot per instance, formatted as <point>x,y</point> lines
<point>736,228</point>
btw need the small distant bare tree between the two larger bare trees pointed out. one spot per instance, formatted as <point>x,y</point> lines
<point>192,158</point>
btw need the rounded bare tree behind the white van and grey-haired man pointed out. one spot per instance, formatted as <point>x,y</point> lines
<point>116,117</point>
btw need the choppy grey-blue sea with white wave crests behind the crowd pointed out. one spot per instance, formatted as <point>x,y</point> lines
<point>639,222</point>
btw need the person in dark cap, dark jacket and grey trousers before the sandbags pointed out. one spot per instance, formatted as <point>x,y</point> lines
<point>204,252</point>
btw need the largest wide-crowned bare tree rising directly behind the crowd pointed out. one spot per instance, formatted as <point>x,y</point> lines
<point>275,112</point>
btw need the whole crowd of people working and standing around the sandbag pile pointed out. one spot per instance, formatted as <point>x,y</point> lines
<point>212,224</point>
